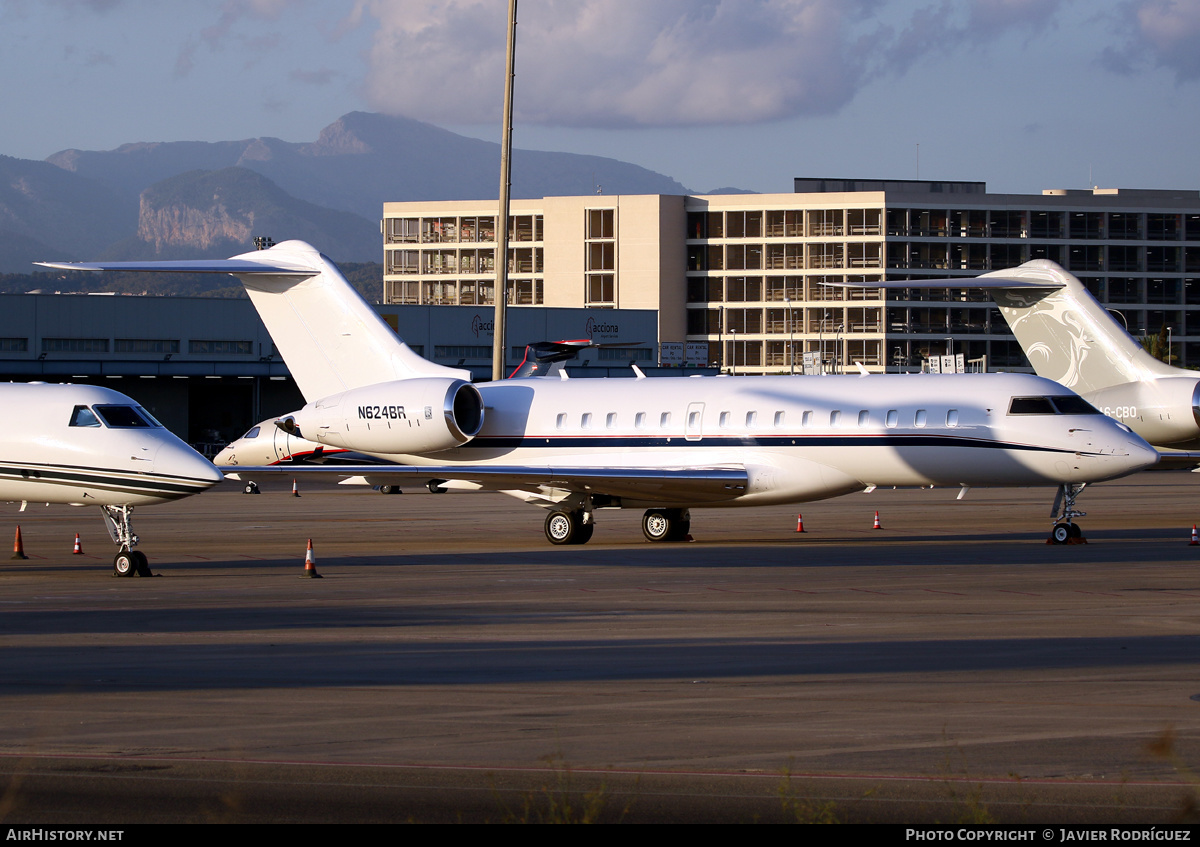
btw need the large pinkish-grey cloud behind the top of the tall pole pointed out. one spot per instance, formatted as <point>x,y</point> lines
<point>670,63</point>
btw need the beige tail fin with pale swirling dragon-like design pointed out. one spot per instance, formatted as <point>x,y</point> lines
<point>1066,334</point>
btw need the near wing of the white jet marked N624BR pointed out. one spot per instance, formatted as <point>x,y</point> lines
<point>665,485</point>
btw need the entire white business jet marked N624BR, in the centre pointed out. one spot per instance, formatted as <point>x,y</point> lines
<point>662,446</point>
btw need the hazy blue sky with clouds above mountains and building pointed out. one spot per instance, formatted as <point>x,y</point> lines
<point>1023,94</point>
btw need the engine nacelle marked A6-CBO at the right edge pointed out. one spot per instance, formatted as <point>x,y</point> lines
<point>1166,412</point>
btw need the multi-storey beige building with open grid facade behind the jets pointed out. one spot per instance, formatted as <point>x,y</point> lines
<point>749,275</point>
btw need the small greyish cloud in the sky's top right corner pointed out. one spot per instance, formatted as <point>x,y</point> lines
<point>1161,33</point>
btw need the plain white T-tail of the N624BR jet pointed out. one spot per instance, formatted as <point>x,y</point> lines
<point>332,340</point>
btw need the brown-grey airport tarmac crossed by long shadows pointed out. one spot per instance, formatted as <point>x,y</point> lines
<point>454,666</point>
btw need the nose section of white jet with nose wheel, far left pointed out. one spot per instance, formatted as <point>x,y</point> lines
<point>93,447</point>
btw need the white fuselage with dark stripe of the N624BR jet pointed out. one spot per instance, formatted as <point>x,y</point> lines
<point>801,438</point>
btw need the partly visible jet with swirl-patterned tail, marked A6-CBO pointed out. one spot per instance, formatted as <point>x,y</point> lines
<point>1070,338</point>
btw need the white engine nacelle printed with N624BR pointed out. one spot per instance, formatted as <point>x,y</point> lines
<point>405,417</point>
